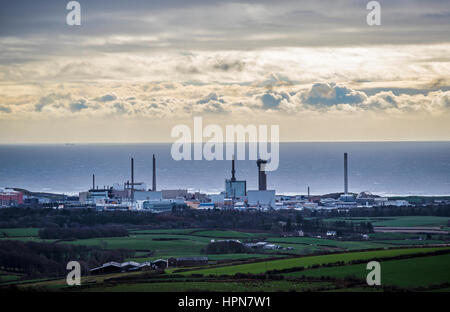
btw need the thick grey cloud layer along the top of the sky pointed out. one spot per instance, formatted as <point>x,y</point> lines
<point>228,25</point>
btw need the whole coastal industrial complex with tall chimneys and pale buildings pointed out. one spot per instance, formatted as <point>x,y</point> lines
<point>136,195</point>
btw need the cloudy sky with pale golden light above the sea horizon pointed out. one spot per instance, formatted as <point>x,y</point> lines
<point>135,69</point>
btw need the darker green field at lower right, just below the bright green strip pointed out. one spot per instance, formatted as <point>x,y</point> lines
<point>405,273</point>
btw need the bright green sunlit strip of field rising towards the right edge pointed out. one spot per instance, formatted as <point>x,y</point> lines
<point>261,267</point>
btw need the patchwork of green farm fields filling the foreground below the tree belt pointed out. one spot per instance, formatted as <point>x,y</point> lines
<point>408,261</point>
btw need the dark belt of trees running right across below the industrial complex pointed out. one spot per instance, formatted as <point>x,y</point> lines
<point>285,220</point>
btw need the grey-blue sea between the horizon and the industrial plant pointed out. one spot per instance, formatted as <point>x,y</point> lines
<point>383,168</point>
